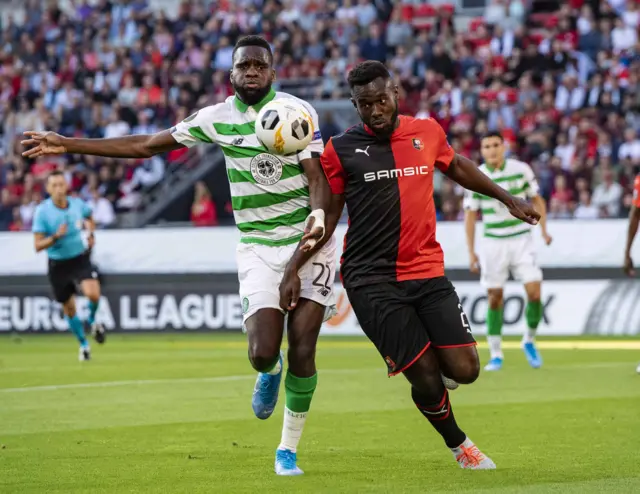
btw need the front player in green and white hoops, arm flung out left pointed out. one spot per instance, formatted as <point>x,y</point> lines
<point>272,197</point>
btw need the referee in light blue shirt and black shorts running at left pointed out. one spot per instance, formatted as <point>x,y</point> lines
<point>57,227</point>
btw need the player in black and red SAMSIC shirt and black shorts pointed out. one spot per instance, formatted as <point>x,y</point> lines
<point>393,267</point>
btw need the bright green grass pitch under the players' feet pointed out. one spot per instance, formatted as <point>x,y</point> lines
<point>172,414</point>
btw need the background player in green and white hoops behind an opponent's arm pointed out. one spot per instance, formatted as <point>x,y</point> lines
<point>507,246</point>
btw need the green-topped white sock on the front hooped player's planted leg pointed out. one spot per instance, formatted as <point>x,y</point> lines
<point>299,391</point>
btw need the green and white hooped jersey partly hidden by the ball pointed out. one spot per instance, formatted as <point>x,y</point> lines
<point>269,193</point>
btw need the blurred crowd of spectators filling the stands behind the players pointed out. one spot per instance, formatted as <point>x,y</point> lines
<point>559,80</point>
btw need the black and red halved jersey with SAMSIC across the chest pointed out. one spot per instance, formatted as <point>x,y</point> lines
<point>388,187</point>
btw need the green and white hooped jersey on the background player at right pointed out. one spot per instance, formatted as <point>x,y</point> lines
<point>514,176</point>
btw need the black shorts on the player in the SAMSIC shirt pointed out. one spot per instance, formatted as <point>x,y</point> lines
<point>403,318</point>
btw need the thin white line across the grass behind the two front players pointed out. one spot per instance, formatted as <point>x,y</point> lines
<point>142,382</point>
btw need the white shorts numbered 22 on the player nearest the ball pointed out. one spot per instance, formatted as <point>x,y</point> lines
<point>260,271</point>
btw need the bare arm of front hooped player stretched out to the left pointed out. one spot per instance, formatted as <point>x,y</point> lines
<point>134,146</point>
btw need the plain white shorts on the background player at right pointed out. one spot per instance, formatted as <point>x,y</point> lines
<point>500,256</point>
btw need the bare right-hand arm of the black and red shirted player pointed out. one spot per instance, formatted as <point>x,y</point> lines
<point>466,173</point>
